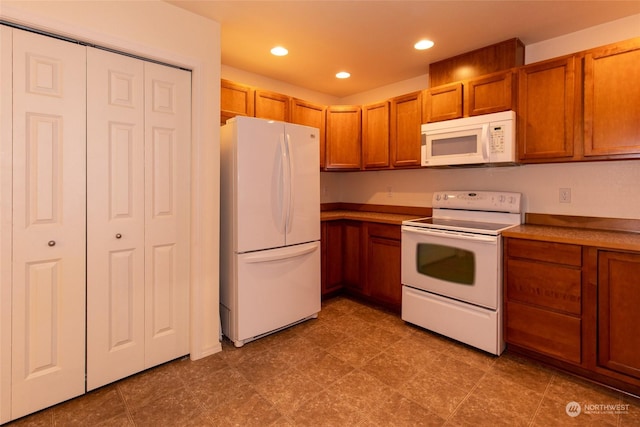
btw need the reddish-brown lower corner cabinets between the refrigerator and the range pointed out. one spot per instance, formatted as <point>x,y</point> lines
<point>362,259</point>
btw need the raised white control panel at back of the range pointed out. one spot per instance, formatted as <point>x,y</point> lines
<point>492,201</point>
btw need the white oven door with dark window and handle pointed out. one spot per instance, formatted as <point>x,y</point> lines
<point>453,264</point>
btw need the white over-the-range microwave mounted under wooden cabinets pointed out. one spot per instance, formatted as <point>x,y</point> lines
<point>489,139</point>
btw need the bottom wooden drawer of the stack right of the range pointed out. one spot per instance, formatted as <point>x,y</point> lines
<point>554,334</point>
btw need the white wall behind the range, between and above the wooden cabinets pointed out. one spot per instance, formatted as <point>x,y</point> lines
<point>602,189</point>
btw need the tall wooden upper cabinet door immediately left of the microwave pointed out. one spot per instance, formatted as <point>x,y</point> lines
<point>406,120</point>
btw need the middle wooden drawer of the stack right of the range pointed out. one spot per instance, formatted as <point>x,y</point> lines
<point>549,286</point>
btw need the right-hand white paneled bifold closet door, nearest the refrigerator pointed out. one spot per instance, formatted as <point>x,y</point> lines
<point>138,176</point>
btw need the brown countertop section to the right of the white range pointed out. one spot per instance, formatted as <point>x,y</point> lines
<point>621,240</point>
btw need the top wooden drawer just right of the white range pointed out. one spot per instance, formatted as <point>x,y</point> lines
<point>557,253</point>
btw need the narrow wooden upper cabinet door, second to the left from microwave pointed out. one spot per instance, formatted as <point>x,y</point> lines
<point>375,136</point>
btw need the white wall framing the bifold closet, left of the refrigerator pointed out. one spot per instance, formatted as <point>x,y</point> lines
<point>158,30</point>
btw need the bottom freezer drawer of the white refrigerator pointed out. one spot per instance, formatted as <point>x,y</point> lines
<point>274,288</point>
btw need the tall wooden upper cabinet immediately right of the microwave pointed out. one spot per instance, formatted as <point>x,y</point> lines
<point>546,110</point>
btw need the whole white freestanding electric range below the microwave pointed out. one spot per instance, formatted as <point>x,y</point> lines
<point>452,266</point>
